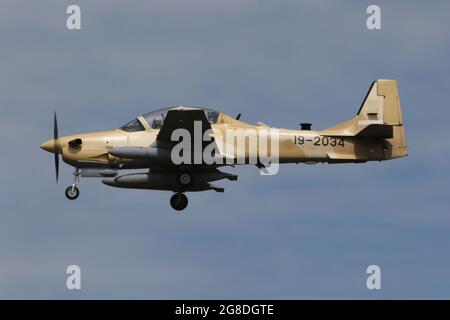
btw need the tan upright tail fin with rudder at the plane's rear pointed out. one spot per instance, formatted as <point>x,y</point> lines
<point>379,117</point>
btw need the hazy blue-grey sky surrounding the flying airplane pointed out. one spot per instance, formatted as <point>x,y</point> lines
<point>307,232</point>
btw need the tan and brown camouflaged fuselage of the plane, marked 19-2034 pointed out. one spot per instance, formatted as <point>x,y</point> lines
<point>294,146</point>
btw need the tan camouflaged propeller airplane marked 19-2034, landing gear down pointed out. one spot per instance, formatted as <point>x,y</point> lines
<point>376,133</point>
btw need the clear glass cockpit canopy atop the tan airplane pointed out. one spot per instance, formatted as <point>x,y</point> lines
<point>155,119</point>
